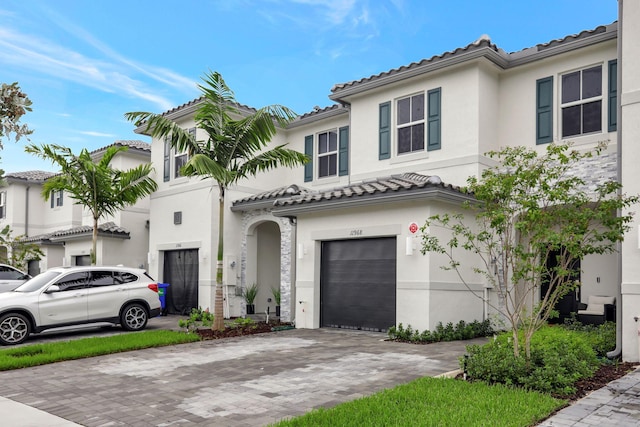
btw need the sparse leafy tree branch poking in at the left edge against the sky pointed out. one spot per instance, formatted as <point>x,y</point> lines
<point>13,105</point>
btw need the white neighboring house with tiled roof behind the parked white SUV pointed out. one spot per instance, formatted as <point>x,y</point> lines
<point>63,229</point>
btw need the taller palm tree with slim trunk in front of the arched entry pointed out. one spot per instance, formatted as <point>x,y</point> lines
<point>235,148</point>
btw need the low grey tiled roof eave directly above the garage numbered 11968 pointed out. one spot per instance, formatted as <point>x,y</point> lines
<point>428,193</point>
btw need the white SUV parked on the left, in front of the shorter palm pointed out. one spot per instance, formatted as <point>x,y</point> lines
<point>66,296</point>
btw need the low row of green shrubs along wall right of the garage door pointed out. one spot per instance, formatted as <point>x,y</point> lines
<point>448,332</point>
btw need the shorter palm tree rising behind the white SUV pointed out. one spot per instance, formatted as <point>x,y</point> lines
<point>95,185</point>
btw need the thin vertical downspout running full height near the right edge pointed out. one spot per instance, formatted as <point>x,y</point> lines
<point>615,353</point>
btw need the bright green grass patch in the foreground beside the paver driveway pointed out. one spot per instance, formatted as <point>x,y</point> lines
<point>437,402</point>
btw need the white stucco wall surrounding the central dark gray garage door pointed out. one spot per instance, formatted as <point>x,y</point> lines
<point>425,294</point>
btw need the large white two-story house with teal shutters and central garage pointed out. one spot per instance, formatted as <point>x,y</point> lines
<point>392,151</point>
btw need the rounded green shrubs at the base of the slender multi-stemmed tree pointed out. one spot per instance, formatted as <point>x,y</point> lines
<point>559,358</point>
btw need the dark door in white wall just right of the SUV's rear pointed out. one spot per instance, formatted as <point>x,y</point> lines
<point>181,273</point>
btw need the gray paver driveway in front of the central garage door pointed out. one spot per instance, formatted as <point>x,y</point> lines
<point>248,381</point>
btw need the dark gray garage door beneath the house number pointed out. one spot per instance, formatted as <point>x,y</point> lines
<point>358,284</point>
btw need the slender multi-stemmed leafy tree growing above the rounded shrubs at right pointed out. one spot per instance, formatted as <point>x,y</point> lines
<point>527,209</point>
